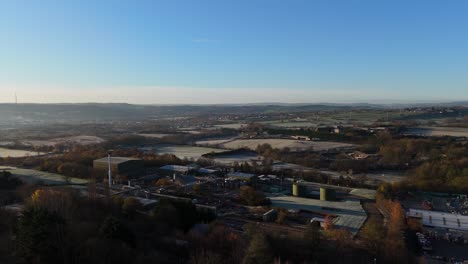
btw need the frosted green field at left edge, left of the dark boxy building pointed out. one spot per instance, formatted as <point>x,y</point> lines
<point>34,176</point>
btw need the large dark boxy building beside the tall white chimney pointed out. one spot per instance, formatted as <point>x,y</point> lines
<point>121,165</point>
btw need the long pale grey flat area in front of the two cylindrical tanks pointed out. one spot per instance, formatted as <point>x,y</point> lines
<point>350,214</point>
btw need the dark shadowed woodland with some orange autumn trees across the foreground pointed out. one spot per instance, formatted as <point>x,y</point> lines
<point>59,225</point>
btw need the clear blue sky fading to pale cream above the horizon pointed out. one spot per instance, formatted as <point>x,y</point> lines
<point>233,51</point>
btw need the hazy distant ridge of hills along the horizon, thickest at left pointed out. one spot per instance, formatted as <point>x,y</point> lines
<point>90,112</point>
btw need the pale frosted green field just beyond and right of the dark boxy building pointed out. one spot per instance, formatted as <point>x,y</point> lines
<point>182,151</point>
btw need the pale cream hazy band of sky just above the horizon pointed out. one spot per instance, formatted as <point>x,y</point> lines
<point>202,96</point>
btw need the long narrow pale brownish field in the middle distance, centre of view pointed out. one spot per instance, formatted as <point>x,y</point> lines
<point>294,145</point>
